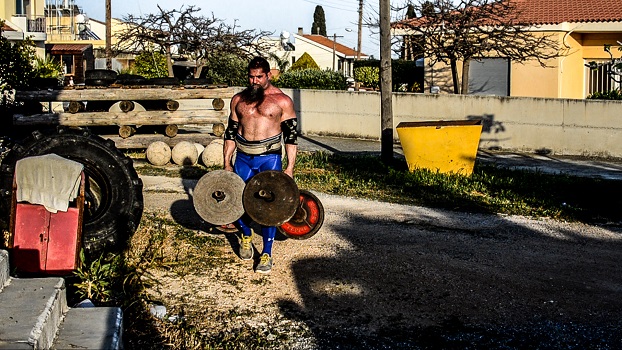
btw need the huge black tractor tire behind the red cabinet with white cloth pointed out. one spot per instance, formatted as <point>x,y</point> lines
<point>113,196</point>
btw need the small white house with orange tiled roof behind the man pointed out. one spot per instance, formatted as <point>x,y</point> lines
<point>328,53</point>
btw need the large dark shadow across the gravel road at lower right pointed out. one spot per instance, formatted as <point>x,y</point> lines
<point>463,282</point>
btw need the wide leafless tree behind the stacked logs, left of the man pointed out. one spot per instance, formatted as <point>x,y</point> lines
<point>187,35</point>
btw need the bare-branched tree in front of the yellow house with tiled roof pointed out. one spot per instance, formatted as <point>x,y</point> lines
<point>467,30</point>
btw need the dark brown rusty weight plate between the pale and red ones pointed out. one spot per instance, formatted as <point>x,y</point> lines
<point>271,198</point>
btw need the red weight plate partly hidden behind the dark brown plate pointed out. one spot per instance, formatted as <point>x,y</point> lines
<point>307,220</point>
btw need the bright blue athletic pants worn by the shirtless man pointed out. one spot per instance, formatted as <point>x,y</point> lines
<point>247,166</point>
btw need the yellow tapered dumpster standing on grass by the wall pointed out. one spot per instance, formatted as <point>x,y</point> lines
<point>444,146</point>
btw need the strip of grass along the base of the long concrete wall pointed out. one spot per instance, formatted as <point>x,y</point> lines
<point>490,189</point>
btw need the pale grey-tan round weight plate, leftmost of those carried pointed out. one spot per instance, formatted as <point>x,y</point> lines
<point>217,197</point>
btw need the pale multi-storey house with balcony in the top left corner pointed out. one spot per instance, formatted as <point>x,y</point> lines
<point>24,19</point>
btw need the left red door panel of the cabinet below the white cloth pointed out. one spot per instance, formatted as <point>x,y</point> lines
<point>30,237</point>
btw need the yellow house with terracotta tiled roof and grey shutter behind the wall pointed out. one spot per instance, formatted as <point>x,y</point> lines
<point>581,27</point>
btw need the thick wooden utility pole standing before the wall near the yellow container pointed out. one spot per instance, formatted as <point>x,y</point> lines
<point>386,82</point>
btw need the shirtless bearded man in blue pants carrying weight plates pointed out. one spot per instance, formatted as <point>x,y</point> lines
<point>262,120</point>
